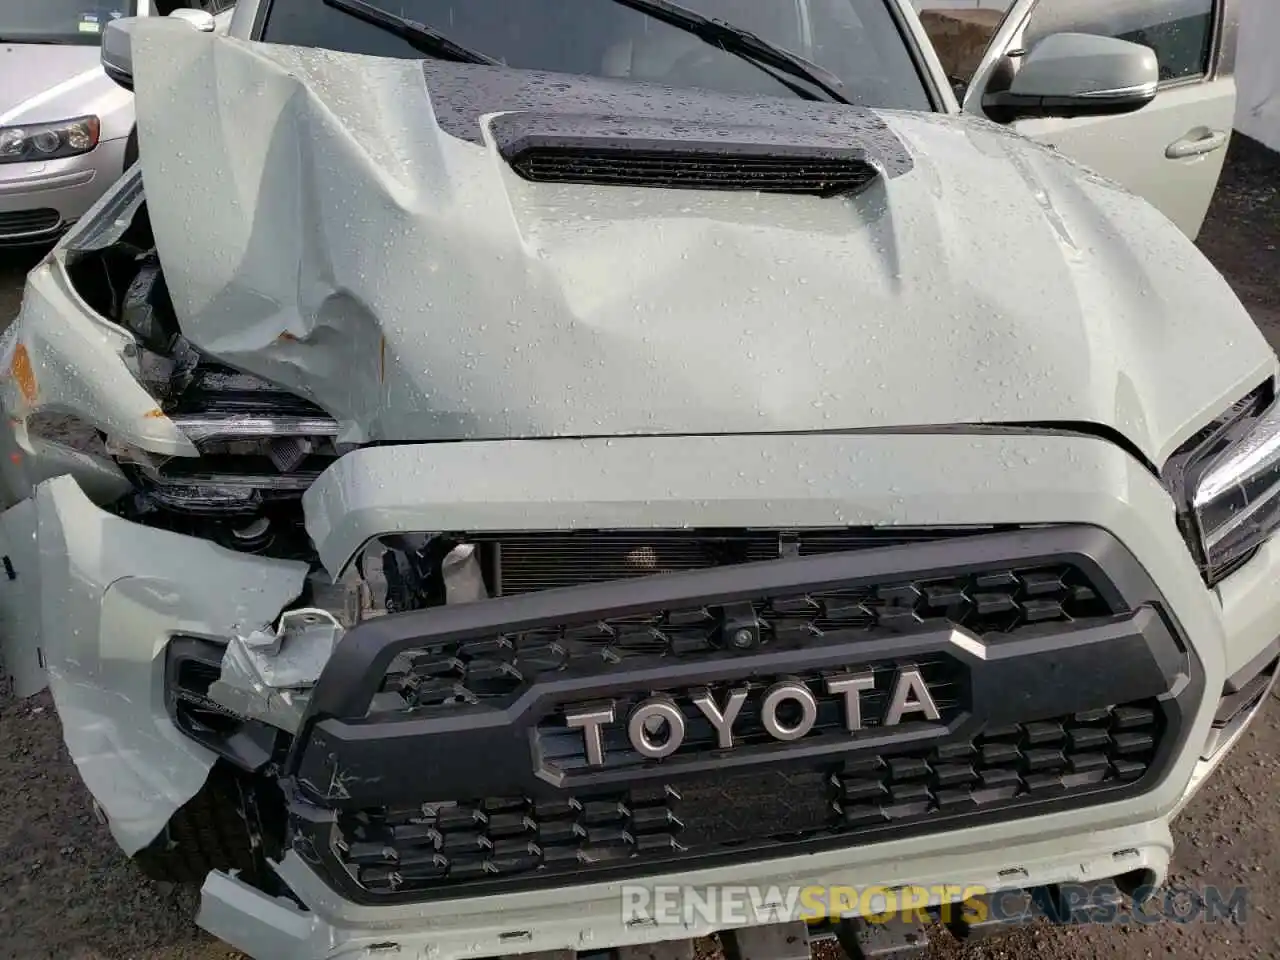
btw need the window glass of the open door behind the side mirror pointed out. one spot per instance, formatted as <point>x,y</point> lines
<point>1180,31</point>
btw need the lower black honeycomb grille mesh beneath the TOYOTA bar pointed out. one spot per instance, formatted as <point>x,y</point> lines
<point>769,811</point>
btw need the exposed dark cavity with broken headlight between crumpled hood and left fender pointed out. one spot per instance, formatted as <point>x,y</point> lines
<point>260,447</point>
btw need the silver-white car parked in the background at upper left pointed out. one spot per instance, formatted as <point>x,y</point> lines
<point>67,131</point>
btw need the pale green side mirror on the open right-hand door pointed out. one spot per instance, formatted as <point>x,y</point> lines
<point>1078,75</point>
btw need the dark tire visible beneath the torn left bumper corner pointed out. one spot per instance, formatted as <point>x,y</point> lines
<point>209,833</point>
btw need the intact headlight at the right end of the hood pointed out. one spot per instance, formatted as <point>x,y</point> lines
<point>1227,481</point>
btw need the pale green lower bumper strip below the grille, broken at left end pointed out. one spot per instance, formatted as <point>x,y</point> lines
<point>591,916</point>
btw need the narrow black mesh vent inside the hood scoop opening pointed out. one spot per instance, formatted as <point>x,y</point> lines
<point>820,177</point>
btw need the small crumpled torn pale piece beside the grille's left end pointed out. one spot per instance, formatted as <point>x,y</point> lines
<point>267,674</point>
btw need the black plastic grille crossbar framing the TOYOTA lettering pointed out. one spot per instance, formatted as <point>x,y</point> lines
<point>1020,680</point>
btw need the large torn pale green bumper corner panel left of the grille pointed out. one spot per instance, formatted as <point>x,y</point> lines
<point>112,596</point>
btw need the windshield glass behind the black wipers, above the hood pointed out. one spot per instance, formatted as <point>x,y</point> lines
<point>857,40</point>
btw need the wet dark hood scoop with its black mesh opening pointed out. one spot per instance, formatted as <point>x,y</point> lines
<point>676,156</point>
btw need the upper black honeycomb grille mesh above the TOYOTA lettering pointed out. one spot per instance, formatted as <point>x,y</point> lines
<point>1004,601</point>
